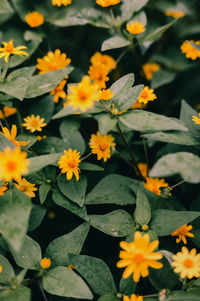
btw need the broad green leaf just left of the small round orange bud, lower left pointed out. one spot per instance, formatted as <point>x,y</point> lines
<point>29,256</point>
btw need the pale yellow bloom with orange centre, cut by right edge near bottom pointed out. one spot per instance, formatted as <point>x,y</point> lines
<point>187,263</point>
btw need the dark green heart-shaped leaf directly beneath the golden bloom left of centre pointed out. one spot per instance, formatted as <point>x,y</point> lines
<point>74,190</point>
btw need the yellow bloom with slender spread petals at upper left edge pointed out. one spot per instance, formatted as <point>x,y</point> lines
<point>9,49</point>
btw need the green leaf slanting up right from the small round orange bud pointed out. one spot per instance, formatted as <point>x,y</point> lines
<point>72,242</point>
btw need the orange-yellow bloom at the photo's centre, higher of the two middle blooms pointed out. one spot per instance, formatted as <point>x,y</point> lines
<point>101,145</point>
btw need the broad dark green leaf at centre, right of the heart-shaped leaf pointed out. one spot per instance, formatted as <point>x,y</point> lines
<point>105,191</point>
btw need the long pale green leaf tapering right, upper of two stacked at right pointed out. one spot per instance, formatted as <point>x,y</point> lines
<point>145,121</point>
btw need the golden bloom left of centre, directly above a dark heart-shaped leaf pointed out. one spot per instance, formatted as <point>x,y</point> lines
<point>69,163</point>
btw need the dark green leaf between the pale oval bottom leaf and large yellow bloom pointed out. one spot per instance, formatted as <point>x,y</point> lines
<point>95,272</point>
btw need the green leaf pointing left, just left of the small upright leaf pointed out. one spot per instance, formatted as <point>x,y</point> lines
<point>117,223</point>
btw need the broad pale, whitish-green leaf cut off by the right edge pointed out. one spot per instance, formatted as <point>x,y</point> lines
<point>183,163</point>
